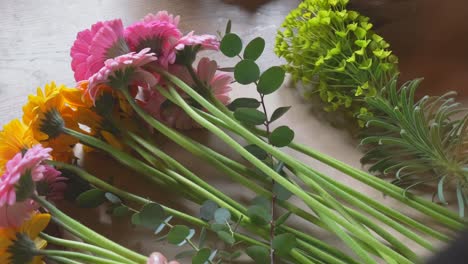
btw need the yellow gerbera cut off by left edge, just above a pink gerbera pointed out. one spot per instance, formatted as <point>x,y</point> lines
<point>14,137</point>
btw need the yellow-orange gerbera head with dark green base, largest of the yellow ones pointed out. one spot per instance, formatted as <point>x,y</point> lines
<point>38,114</point>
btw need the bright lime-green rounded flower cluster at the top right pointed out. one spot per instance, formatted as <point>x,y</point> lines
<point>335,54</point>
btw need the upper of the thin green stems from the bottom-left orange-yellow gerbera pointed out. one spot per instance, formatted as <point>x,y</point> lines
<point>86,247</point>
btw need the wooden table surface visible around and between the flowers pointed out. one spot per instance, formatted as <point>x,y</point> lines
<point>36,37</point>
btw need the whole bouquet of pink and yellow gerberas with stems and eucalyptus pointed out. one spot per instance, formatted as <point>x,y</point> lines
<point>148,79</point>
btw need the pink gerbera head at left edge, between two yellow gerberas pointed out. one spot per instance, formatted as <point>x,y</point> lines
<point>17,183</point>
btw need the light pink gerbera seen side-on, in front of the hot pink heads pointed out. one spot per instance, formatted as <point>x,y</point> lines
<point>124,68</point>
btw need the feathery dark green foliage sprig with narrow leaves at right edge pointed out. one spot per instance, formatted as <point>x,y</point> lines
<point>419,142</point>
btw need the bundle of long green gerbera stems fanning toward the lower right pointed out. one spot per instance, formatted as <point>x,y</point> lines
<point>331,205</point>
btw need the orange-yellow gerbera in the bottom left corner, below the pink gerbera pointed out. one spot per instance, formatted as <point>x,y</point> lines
<point>31,229</point>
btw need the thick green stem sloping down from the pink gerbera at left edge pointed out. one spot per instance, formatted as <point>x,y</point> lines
<point>90,235</point>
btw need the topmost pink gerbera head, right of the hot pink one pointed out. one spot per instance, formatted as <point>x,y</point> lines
<point>159,33</point>
